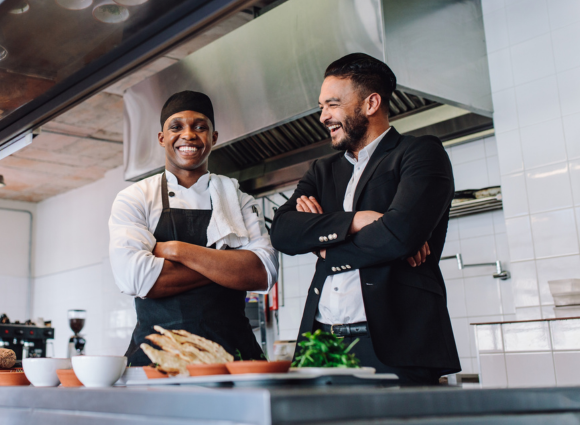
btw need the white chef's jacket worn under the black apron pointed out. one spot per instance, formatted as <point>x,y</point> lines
<point>134,217</point>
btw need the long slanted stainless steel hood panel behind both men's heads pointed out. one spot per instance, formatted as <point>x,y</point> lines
<point>263,74</point>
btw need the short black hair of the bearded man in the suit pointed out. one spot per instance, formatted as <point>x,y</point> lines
<point>369,75</point>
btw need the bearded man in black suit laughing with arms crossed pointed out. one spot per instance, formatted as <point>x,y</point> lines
<point>364,212</point>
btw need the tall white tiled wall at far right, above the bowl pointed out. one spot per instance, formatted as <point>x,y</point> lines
<point>534,63</point>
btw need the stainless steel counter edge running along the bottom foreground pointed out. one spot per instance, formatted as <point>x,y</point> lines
<point>336,405</point>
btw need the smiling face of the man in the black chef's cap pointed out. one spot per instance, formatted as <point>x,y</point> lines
<point>188,138</point>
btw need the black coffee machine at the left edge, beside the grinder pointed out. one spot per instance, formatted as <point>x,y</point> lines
<point>25,340</point>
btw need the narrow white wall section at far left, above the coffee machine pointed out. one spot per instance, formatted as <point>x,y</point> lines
<point>14,258</point>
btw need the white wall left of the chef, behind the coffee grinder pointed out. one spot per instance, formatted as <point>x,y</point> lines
<point>73,269</point>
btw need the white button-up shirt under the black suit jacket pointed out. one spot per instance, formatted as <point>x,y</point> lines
<point>341,300</point>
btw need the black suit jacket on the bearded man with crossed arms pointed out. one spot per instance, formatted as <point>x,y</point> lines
<point>411,181</point>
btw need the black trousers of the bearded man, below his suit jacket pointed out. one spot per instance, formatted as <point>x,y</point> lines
<point>365,352</point>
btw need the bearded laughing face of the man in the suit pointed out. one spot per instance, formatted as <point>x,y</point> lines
<point>342,113</point>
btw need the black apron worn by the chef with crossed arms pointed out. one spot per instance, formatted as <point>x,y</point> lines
<point>211,311</point>
